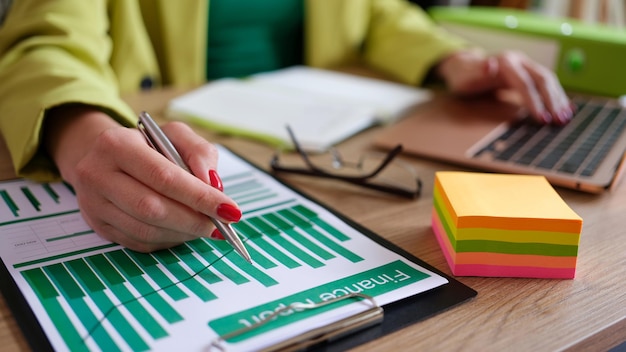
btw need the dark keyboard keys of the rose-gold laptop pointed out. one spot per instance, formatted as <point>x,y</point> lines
<point>577,148</point>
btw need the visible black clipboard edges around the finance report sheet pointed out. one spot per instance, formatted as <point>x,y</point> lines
<point>375,324</point>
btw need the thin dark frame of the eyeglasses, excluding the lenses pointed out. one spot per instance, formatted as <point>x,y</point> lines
<point>363,181</point>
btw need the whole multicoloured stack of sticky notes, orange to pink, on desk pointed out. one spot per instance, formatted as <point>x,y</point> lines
<point>504,225</point>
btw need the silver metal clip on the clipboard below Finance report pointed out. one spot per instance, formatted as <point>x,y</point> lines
<point>372,316</point>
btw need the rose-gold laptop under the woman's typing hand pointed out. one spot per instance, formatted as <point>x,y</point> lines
<point>493,134</point>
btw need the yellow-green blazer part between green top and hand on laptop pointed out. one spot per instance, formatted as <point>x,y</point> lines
<point>393,36</point>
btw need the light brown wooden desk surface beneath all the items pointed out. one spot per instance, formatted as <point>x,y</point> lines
<point>586,313</point>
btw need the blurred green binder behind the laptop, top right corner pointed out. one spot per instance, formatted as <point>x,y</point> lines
<point>582,41</point>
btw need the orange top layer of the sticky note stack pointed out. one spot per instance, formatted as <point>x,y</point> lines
<point>523,202</point>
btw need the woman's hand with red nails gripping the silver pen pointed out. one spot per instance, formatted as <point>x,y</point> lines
<point>131,194</point>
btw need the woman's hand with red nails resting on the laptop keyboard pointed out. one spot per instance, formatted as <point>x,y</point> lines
<point>471,72</point>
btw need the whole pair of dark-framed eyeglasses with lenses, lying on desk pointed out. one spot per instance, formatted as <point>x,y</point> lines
<point>378,171</point>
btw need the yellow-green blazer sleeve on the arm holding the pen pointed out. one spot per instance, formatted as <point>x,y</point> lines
<point>53,53</point>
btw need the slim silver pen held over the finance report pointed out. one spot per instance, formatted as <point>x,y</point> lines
<point>159,141</point>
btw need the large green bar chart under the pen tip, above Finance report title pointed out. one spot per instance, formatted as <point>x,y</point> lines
<point>189,271</point>
